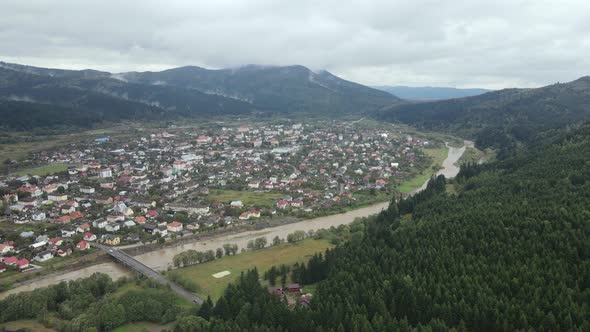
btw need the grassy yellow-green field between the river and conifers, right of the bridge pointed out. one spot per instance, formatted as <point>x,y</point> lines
<point>262,259</point>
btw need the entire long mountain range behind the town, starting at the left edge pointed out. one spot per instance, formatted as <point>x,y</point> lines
<point>181,92</point>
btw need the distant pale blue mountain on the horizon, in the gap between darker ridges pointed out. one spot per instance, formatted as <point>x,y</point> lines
<point>430,93</point>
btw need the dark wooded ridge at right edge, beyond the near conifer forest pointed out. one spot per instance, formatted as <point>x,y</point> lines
<point>500,118</point>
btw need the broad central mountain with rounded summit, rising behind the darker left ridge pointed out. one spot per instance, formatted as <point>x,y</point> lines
<point>278,89</point>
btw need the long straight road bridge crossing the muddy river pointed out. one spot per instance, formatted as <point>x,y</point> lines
<point>137,266</point>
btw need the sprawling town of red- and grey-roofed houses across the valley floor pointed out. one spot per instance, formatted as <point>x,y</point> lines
<point>175,182</point>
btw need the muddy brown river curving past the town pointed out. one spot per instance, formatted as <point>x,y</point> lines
<point>162,259</point>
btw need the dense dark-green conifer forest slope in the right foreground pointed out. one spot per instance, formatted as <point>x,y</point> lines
<point>509,251</point>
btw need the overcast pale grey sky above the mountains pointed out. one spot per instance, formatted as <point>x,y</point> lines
<point>462,43</point>
